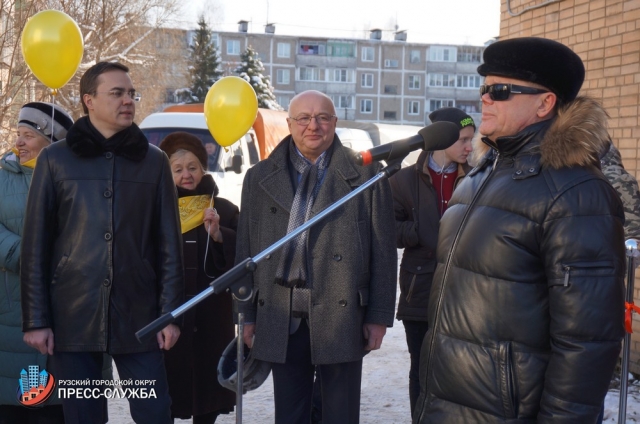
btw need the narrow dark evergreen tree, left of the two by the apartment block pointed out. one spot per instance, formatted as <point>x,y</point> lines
<point>206,67</point>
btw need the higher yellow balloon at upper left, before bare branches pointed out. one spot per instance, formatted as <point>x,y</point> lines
<point>52,46</point>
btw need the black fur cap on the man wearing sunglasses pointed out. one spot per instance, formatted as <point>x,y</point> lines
<point>538,60</point>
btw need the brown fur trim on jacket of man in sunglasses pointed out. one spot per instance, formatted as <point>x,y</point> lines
<point>577,136</point>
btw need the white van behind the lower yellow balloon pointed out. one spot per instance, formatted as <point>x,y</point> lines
<point>227,165</point>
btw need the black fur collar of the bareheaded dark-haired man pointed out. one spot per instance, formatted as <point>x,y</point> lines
<point>86,141</point>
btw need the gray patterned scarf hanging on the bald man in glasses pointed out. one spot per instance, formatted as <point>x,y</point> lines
<point>292,270</point>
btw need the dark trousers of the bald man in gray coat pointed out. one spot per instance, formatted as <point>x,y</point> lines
<point>293,385</point>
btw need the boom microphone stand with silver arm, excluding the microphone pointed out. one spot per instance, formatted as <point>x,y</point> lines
<point>232,279</point>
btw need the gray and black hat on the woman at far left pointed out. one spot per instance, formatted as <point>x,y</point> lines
<point>38,116</point>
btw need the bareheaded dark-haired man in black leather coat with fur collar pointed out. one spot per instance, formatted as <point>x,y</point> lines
<point>102,253</point>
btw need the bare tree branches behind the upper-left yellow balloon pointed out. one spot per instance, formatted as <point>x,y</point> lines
<point>129,31</point>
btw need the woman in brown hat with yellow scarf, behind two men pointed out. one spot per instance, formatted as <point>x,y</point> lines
<point>209,238</point>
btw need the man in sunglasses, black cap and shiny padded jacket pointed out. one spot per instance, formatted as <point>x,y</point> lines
<point>526,308</point>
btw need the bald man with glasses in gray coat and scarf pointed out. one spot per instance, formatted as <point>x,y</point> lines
<point>326,298</point>
